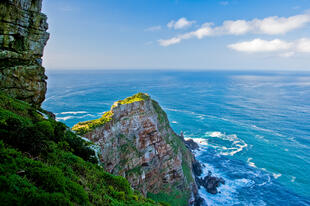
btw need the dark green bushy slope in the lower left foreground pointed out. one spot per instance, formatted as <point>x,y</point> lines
<point>43,163</point>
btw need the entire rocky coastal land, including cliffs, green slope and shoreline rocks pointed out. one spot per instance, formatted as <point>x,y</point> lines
<point>142,161</point>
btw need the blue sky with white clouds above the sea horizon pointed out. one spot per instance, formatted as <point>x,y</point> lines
<point>178,34</point>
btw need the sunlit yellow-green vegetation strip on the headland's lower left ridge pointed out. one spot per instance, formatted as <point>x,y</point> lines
<point>85,127</point>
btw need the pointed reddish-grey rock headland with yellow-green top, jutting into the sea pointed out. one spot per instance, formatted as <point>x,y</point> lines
<point>138,143</point>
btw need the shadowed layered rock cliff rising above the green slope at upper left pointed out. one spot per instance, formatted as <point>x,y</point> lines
<point>22,39</point>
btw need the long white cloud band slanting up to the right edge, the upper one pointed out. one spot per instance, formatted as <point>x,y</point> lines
<point>269,26</point>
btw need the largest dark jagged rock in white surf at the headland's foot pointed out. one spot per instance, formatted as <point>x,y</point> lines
<point>210,183</point>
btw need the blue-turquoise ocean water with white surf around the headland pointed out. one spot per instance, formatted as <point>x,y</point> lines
<point>253,127</point>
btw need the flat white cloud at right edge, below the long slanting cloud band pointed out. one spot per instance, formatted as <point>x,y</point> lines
<point>280,47</point>
